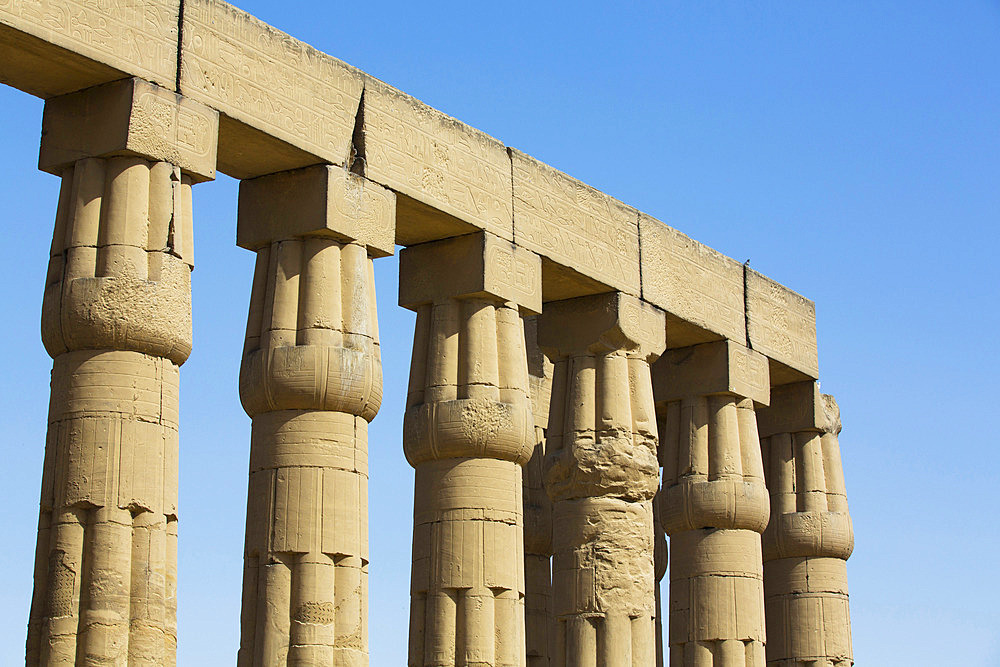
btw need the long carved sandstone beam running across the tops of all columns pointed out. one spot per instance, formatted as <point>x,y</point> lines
<point>284,105</point>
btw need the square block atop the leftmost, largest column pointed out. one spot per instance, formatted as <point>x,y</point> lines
<point>129,117</point>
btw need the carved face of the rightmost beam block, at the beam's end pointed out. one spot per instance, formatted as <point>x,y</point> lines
<point>781,324</point>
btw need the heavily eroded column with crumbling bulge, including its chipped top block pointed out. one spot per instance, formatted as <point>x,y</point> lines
<point>601,474</point>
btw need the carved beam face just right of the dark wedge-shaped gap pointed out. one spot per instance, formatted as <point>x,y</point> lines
<point>437,160</point>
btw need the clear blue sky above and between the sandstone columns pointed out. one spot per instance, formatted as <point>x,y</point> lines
<point>850,150</point>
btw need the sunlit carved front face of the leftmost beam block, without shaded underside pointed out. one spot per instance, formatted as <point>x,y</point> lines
<point>139,38</point>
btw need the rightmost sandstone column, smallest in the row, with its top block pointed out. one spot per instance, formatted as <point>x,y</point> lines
<point>809,538</point>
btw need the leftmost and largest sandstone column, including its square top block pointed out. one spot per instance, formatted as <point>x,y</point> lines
<point>116,319</point>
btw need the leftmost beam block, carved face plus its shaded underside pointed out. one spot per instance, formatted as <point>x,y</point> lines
<point>53,47</point>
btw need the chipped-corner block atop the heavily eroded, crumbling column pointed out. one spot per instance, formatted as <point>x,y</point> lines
<point>602,322</point>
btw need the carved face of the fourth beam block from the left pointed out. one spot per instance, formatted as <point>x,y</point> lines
<point>575,225</point>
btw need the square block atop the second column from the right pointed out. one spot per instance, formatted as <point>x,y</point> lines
<point>722,367</point>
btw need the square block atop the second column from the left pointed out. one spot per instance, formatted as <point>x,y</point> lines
<point>321,200</point>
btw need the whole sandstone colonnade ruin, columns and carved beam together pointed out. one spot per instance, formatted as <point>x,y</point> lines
<point>585,380</point>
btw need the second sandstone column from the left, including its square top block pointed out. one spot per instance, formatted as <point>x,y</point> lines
<point>311,380</point>
